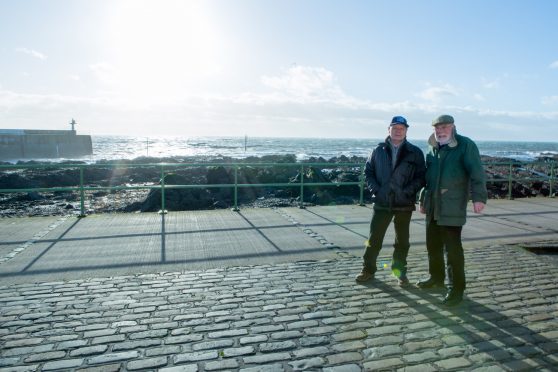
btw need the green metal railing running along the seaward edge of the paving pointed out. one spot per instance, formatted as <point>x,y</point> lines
<point>165,169</point>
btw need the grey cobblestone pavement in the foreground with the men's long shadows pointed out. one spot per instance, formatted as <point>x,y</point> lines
<point>289,316</point>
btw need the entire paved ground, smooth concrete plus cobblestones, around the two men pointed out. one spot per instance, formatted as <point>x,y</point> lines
<point>271,289</point>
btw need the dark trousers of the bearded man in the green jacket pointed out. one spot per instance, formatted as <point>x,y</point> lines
<point>438,237</point>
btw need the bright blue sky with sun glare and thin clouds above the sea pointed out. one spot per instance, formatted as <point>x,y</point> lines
<point>290,68</point>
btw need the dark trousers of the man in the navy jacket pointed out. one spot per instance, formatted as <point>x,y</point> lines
<point>378,227</point>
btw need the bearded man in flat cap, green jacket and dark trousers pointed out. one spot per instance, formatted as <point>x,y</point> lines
<point>454,173</point>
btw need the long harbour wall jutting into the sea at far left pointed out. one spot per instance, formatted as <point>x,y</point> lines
<point>37,144</point>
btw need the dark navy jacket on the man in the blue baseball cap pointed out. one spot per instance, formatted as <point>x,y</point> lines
<point>396,188</point>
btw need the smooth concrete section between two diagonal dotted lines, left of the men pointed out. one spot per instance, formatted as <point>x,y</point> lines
<point>124,244</point>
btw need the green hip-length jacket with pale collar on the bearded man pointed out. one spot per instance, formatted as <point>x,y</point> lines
<point>454,174</point>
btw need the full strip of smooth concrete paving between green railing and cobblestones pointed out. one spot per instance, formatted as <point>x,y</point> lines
<point>66,248</point>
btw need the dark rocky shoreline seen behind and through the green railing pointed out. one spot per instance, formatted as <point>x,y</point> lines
<point>215,172</point>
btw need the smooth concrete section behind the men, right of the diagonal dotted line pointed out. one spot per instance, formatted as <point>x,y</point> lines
<point>502,222</point>
